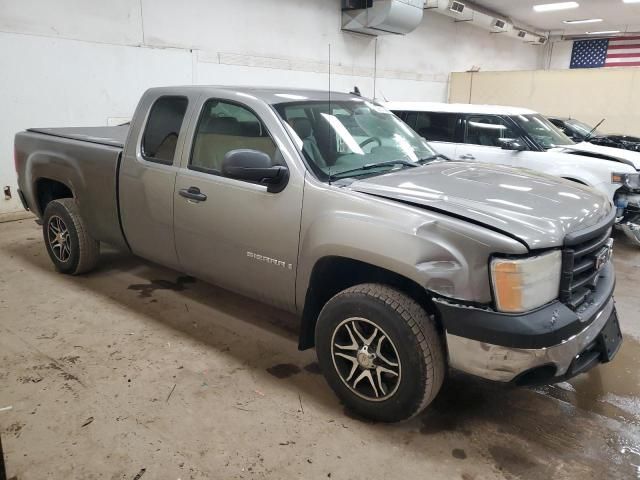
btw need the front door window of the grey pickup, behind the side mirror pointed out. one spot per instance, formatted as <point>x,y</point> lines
<point>226,126</point>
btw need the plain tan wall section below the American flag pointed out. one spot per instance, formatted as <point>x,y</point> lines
<point>587,94</point>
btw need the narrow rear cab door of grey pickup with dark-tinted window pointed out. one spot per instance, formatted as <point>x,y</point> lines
<point>148,173</point>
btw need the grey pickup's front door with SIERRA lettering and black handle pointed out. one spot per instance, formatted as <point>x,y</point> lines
<point>231,232</point>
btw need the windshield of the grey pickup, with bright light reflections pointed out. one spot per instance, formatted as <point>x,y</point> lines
<point>352,135</point>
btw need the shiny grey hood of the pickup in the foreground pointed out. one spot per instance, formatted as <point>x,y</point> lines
<point>539,210</point>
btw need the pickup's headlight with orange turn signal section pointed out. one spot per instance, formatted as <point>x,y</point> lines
<point>520,285</point>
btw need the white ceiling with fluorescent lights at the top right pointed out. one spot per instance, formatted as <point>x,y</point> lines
<point>616,15</point>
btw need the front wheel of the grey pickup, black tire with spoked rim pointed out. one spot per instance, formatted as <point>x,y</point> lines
<point>412,335</point>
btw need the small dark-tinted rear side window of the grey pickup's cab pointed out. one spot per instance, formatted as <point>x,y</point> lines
<point>163,127</point>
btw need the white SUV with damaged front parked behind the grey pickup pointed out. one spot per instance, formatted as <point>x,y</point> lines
<point>523,138</point>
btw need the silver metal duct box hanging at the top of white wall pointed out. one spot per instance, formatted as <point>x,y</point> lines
<point>381,17</point>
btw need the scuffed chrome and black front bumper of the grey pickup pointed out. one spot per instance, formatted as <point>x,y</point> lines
<point>545,346</point>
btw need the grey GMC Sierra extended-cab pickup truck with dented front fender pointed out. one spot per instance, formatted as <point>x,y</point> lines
<point>399,262</point>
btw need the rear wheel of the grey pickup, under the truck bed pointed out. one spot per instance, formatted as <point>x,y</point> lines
<point>80,252</point>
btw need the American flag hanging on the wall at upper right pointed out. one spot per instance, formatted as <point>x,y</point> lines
<point>608,52</point>
